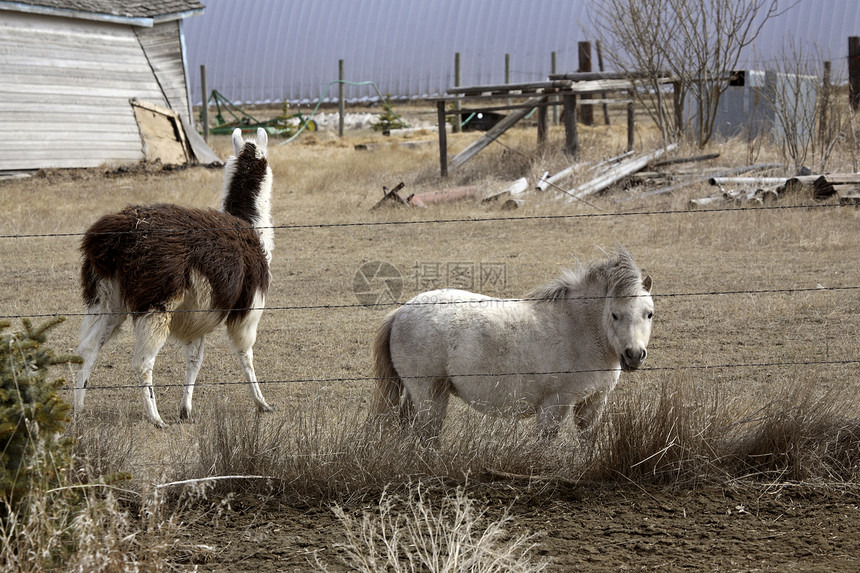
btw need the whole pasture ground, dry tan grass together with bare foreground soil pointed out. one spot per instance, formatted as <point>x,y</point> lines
<point>736,447</point>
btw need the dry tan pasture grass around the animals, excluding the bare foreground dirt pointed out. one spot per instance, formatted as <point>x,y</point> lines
<point>731,392</point>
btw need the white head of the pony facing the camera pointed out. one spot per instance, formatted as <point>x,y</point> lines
<point>627,316</point>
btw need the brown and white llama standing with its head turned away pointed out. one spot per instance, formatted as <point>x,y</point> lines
<point>180,273</point>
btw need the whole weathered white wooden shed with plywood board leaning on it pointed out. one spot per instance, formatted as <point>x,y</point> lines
<point>85,83</point>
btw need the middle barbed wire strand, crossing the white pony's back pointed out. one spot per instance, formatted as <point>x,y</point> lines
<point>476,302</point>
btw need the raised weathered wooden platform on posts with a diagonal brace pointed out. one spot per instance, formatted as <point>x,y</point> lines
<point>523,99</point>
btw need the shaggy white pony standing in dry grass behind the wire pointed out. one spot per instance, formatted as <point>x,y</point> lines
<point>562,347</point>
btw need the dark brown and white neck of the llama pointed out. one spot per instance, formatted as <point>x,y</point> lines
<point>247,195</point>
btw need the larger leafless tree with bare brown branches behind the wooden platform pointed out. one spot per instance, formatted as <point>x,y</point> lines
<point>698,42</point>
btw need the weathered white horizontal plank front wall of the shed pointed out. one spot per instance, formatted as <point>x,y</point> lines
<point>65,87</point>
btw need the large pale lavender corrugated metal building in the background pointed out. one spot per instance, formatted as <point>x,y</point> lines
<point>268,51</point>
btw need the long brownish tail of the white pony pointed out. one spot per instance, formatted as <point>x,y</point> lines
<point>389,401</point>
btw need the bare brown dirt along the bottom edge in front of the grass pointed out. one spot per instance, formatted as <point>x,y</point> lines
<point>585,528</point>
